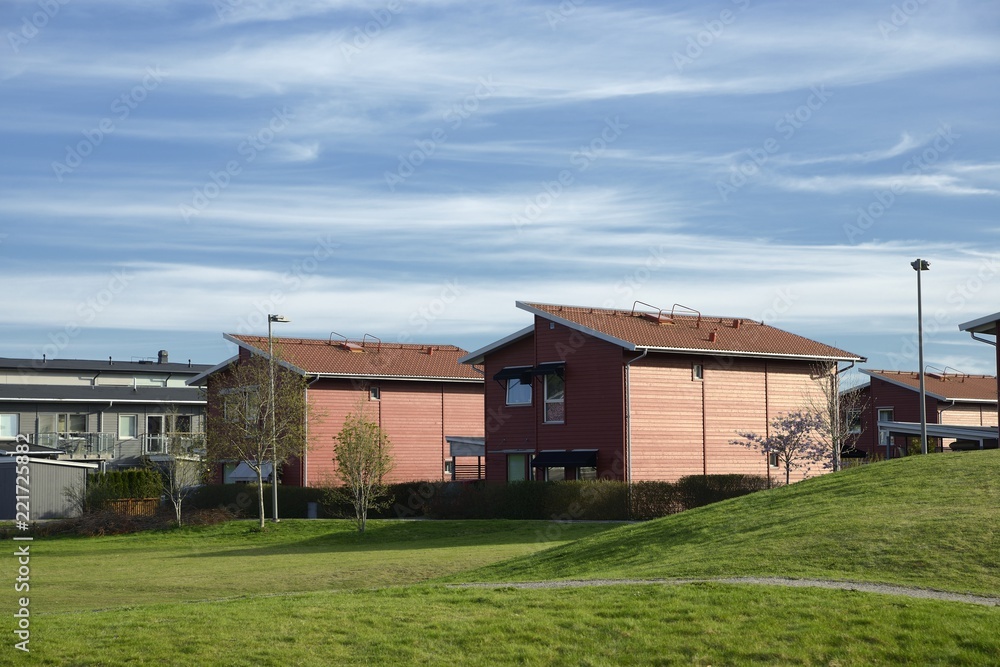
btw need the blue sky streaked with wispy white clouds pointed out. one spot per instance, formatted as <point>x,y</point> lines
<point>175,170</point>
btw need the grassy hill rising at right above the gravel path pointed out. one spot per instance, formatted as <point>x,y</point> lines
<point>931,521</point>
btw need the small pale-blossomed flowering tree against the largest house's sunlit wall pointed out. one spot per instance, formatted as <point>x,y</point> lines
<point>795,440</point>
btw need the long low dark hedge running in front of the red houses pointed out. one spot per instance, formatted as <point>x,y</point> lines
<point>586,500</point>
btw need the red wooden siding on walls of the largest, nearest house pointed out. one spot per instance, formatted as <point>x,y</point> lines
<point>679,425</point>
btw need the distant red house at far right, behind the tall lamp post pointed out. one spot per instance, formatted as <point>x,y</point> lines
<point>954,400</point>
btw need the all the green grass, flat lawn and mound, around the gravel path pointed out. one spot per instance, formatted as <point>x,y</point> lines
<point>315,593</point>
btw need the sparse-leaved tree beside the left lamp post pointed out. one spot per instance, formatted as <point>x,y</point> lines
<point>243,422</point>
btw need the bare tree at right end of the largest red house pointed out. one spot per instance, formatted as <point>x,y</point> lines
<point>840,411</point>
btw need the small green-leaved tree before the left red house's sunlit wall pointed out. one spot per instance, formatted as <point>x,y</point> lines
<point>363,457</point>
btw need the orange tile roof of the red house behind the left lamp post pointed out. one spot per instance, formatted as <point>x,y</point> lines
<point>367,359</point>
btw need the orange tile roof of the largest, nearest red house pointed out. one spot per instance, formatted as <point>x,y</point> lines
<point>689,333</point>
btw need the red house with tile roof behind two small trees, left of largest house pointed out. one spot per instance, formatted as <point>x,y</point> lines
<point>419,394</point>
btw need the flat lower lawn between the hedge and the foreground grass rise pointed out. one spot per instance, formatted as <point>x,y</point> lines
<point>229,560</point>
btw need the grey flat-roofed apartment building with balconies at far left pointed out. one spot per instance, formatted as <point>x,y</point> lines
<point>115,412</point>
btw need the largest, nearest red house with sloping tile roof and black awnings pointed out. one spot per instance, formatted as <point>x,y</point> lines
<point>641,394</point>
